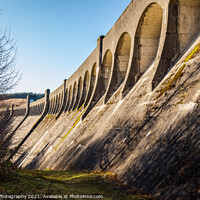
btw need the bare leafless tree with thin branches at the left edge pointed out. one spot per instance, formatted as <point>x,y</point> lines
<point>9,77</point>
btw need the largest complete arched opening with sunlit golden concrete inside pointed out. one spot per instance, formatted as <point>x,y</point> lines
<point>146,43</point>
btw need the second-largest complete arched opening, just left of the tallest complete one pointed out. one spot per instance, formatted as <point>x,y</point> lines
<point>121,61</point>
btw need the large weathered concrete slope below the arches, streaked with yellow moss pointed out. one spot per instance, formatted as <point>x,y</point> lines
<point>158,154</point>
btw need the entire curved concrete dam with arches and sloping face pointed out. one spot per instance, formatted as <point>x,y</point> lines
<point>131,108</point>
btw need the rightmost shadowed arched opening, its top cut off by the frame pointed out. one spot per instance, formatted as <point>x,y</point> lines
<point>183,27</point>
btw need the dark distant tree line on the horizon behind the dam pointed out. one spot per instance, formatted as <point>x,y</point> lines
<point>23,95</point>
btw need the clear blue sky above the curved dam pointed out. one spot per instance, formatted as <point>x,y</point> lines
<point>54,37</point>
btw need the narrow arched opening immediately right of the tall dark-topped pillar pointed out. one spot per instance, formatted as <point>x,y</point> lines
<point>105,71</point>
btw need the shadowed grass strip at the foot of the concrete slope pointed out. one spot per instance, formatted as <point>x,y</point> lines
<point>39,183</point>
